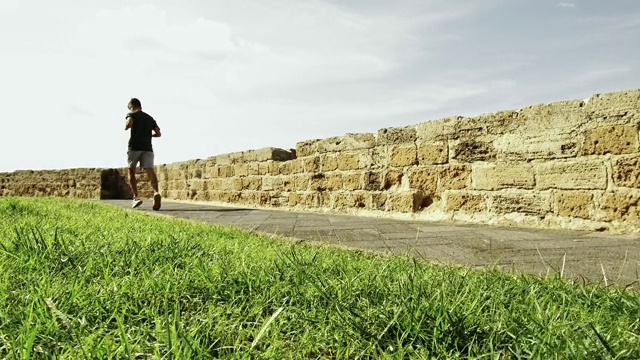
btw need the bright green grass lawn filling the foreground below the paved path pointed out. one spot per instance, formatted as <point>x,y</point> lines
<point>85,280</point>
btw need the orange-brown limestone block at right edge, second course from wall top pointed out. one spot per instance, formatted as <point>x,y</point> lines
<point>614,139</point>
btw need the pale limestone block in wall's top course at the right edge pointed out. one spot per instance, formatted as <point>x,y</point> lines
<point>615,108</point>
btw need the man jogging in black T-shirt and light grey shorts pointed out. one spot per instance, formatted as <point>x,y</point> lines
<point>143,128</point>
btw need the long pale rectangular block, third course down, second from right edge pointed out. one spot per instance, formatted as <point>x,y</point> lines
<point>571,175</point>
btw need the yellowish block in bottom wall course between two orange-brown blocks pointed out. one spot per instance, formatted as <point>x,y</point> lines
<point>535,203</point>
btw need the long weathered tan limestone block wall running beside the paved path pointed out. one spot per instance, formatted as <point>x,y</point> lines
<point>570,164</point>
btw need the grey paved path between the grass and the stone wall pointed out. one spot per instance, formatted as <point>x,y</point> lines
<point>586,255</point>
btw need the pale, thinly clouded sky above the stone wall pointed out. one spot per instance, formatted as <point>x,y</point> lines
<point>225,76</point>
